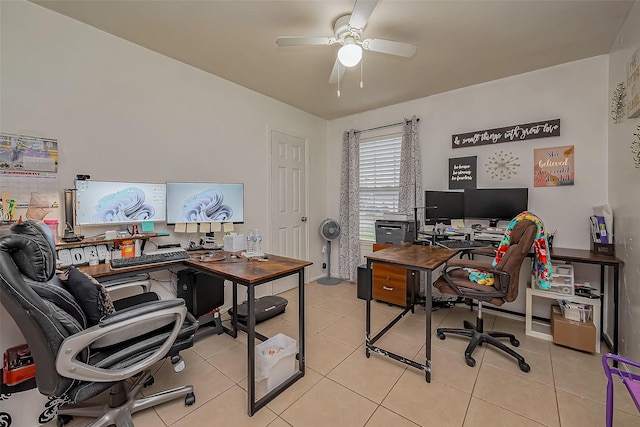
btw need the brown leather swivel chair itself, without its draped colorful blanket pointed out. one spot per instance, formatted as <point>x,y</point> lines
<point>455,281</point>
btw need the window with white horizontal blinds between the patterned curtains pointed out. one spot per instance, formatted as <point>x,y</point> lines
<point>379,181</point>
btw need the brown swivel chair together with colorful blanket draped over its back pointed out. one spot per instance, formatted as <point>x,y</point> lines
<point>494,282</point>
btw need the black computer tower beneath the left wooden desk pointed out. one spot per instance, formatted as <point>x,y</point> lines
<point>201,292</point>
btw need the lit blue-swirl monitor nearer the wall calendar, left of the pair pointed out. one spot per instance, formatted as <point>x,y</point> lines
<point>110,202</point>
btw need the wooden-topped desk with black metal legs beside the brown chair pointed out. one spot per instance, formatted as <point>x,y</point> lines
<point>413,257</point>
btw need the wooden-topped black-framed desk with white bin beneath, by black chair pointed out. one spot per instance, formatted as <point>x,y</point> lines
<point>249,273</point>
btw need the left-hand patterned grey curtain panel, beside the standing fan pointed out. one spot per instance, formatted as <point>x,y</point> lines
<point>349,207</point>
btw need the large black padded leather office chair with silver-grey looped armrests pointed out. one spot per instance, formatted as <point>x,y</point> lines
<point>75,361</point>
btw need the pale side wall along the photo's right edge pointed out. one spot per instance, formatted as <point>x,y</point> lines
<point>624,195</point>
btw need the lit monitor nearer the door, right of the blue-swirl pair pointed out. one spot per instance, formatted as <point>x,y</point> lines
<point>202,202</point>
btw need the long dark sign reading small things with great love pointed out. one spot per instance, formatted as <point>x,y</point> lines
<point>507,134</point>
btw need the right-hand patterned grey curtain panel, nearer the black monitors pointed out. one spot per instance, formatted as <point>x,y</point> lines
<point>410,195</point>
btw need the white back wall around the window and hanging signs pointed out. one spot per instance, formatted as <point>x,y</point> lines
<point>576,93</point>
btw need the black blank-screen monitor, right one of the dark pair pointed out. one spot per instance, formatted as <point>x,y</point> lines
<point>495,204</point>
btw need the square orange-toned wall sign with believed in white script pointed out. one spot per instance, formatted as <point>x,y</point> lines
<point>553,166</point>
